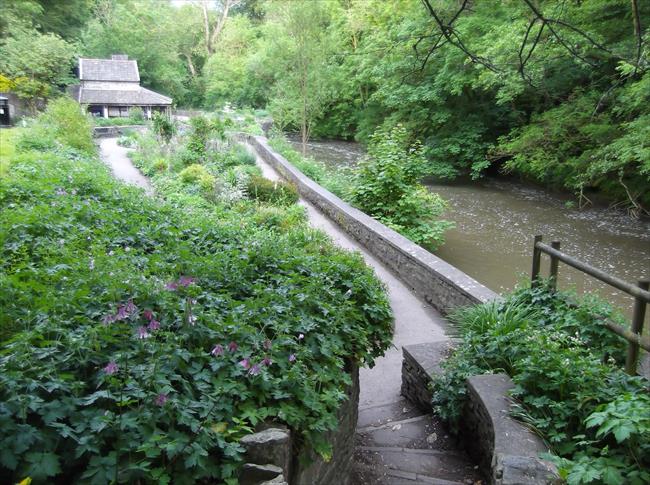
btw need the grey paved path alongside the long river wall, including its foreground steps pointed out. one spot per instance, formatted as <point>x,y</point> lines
<point>396,443</point>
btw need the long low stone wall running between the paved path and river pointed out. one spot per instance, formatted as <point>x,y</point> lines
<point>439,283</point>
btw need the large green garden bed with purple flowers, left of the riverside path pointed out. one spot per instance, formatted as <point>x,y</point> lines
<point>141,337</point>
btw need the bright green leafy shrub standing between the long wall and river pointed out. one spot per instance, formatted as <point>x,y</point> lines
<point>387,186</point>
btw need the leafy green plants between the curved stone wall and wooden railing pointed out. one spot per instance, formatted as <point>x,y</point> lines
<point>568,382</point>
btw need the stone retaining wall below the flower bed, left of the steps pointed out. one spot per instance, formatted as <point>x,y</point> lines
<point>273,456</point>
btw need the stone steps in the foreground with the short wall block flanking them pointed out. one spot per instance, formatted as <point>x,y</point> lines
<point>402,442</point>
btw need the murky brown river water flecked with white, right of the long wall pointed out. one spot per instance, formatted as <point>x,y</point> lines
<point>496,221</point>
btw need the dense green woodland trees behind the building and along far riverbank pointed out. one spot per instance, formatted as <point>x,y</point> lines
<point>555,91</point>
